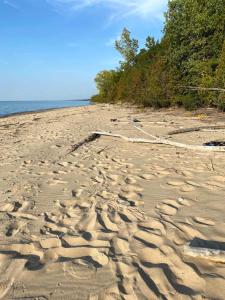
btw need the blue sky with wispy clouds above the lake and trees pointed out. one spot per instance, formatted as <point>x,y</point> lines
<point>52,49</point>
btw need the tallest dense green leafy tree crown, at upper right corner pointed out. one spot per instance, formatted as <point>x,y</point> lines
<point>195,31</point>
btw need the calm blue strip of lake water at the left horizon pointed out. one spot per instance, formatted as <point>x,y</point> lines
<point>11,107</point>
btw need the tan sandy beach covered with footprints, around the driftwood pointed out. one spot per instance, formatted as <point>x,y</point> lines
<point>111,220</point>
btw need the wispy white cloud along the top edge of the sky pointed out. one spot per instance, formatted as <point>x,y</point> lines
<point>118,8</point>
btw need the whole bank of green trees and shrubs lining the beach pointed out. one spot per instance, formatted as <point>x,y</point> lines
<point>185,68</point>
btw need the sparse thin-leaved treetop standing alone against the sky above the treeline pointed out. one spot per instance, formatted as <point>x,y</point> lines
<point>127,47</point>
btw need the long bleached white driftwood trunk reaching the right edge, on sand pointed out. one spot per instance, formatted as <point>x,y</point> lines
<point>157,140</point>
